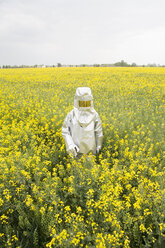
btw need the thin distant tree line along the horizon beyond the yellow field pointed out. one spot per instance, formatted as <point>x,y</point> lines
<point>122,63</point>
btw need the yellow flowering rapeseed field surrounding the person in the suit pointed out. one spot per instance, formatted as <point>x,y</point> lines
<point>115,199</point>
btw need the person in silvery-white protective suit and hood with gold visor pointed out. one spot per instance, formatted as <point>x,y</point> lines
<point>82,127</point>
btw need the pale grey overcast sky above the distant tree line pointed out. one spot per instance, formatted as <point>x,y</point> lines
<point>82,31</point>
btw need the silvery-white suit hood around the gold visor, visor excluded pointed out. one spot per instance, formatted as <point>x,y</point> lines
<point>84,115</point>
